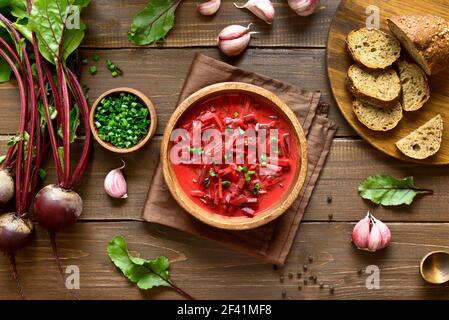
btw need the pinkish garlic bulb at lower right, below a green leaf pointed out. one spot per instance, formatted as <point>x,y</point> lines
<point>371,234</point>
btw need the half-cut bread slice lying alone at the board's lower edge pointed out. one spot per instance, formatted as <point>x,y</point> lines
<point>424,141</point>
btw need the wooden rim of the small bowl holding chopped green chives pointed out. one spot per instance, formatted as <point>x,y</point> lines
<point>144,100</point>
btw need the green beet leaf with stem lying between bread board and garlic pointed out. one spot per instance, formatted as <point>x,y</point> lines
<point>389,191</point>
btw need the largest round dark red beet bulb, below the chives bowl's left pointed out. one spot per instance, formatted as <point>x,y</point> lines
<point>55,208</point>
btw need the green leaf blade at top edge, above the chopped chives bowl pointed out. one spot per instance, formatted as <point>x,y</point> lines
<point>153,22</point>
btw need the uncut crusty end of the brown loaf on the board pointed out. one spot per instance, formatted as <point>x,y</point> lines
<point>426,39</point>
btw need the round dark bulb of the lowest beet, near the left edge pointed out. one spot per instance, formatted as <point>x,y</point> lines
<point>15,232</point>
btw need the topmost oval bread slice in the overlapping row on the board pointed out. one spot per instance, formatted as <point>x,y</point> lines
<point>373,48</point>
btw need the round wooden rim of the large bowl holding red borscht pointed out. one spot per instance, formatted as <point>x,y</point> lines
<point>234,223</point>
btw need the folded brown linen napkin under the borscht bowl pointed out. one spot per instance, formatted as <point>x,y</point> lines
<point>273,241</point>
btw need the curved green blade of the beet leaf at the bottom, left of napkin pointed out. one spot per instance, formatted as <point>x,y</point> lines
<point>146,274</point>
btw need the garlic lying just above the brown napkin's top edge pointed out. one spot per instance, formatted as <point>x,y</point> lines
<point>234,39</point>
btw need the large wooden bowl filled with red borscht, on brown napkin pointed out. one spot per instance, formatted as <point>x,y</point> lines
<point>234,156</point>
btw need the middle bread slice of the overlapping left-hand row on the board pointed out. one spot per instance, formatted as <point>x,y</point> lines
<point>381,88</point>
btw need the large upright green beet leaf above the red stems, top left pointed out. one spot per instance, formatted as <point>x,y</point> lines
<point>51,19</point>
